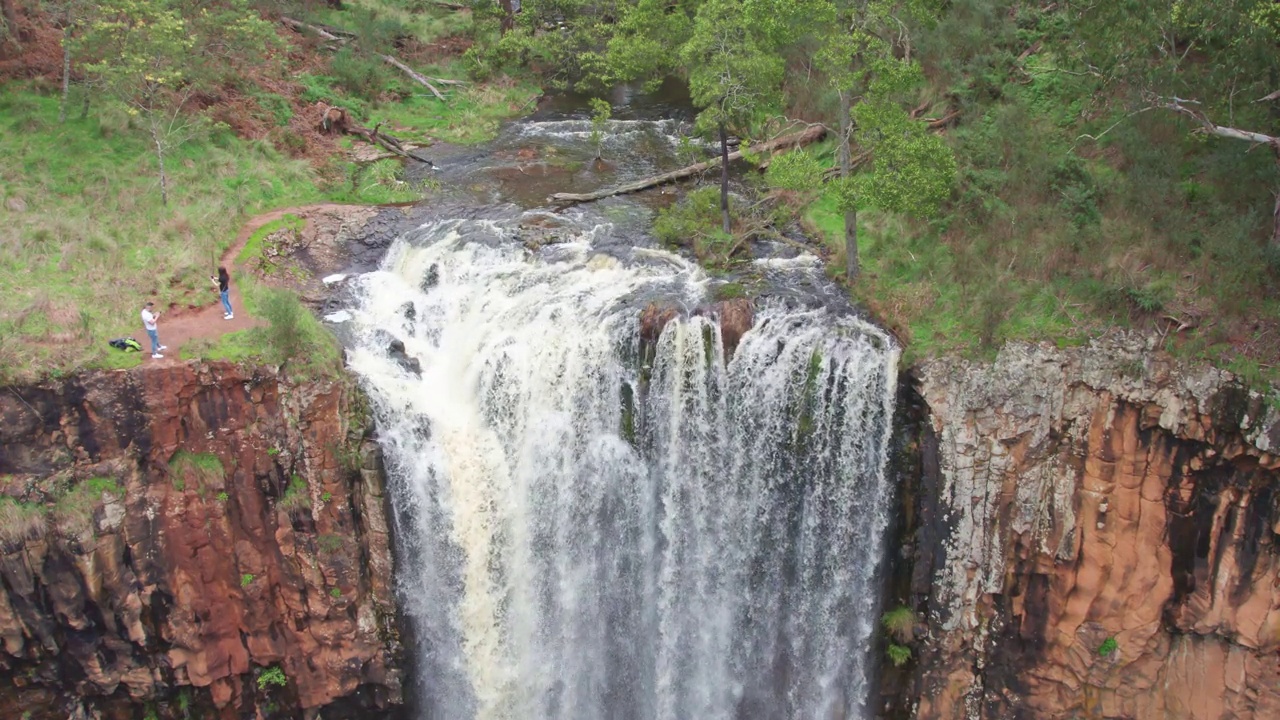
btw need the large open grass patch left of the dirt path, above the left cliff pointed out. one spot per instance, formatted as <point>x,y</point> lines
<point>94,241</point>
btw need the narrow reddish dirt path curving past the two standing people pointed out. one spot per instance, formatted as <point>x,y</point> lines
<point>182,326</point>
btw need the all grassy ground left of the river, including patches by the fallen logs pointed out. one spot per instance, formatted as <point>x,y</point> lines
<point>94,239</point>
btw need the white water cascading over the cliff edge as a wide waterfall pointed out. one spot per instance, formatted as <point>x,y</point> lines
<point>593,527</point>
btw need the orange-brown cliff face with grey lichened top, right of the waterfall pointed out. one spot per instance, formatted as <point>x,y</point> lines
<point>1100,540</point>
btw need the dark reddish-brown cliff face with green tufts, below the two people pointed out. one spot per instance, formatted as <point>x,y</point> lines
<point>198,540</point>
